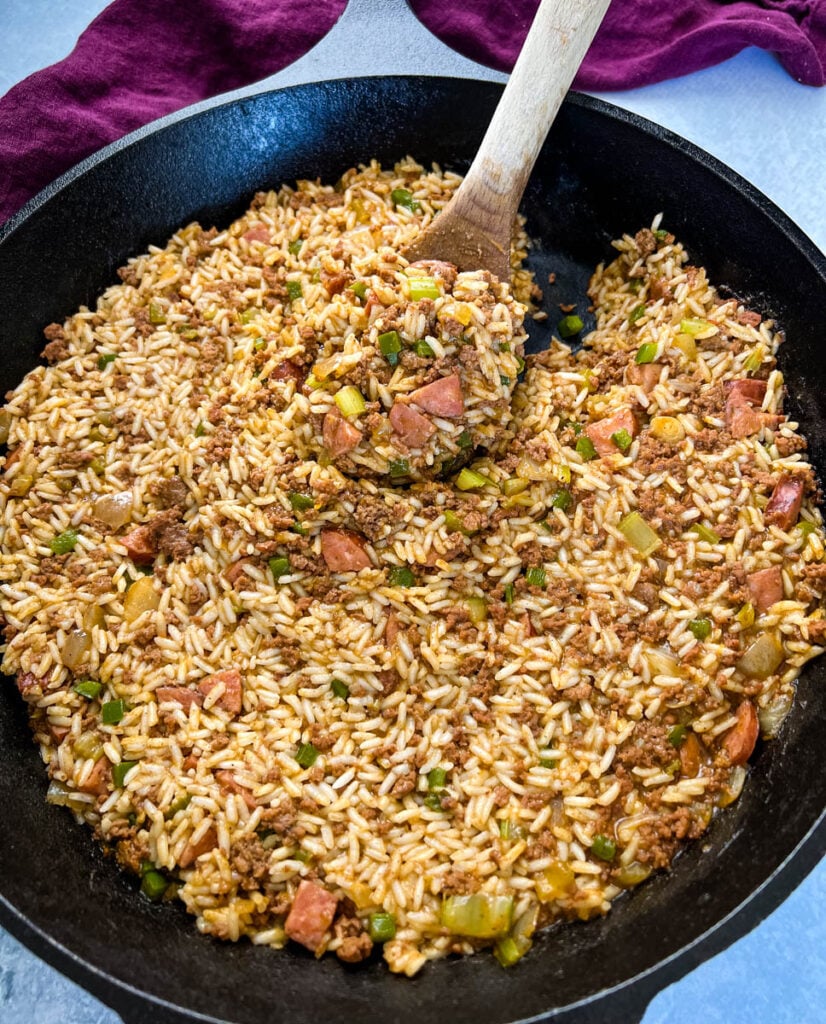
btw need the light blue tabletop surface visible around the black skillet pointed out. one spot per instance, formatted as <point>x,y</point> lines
<point>755,118</point>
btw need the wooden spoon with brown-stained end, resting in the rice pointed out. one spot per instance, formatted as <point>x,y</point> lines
<point>474,230</point>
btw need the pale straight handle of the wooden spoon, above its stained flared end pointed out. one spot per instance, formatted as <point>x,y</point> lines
<point>558,40</point>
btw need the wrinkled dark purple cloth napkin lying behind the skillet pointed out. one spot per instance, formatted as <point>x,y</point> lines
<point>144,59</point>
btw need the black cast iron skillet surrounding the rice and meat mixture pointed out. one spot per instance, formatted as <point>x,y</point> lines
<point>602,173</point>
